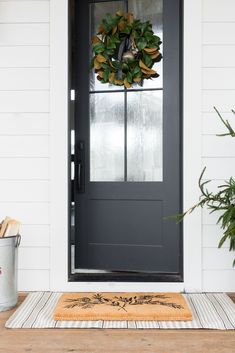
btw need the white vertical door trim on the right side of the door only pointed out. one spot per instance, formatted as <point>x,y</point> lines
<point>192,142</point>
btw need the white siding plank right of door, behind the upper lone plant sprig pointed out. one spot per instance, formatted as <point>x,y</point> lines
<point>211,123</point>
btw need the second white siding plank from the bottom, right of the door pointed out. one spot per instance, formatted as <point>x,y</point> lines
<point>217,259</point>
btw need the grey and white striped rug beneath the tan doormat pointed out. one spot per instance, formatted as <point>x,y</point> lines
<point>210,311</point>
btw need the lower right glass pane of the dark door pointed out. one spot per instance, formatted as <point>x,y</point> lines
<point>144,136</point>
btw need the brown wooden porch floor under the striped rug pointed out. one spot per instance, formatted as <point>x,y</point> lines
<point>113,341</point>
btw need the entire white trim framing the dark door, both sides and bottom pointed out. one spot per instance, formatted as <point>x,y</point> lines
<point>59,151</point>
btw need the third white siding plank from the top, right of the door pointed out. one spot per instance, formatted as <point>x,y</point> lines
<point>222,57</point>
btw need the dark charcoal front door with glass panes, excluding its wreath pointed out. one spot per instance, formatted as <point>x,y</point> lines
<point>128,151</point>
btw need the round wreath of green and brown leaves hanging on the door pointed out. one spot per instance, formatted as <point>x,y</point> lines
<point>125,50</point>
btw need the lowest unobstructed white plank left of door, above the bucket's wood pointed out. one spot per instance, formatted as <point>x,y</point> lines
<point>24,191</point>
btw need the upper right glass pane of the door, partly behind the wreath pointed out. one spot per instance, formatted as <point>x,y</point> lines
<point>151,10</point>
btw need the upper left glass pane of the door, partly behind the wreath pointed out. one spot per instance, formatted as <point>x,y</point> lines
<point>98,11</point>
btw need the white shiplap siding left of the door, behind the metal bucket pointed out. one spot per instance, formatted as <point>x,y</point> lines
<point>24,133</point>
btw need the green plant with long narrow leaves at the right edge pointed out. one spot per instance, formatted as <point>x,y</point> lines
<point>223,200</point>
